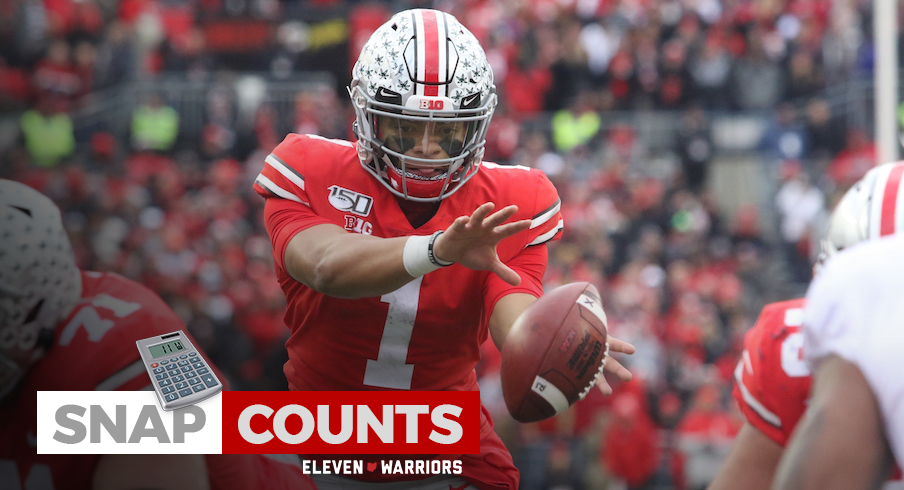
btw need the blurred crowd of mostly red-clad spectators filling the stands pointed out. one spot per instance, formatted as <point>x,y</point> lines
<point>177,213</point>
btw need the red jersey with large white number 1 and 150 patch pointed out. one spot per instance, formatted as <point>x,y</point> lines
<point>427,334</point>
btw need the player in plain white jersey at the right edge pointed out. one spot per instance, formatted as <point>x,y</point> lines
<point>854,426</point>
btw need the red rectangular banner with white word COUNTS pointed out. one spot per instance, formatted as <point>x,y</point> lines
<point>351,422</point>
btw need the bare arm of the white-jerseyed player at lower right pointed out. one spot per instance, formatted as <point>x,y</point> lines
<point>839,443</point>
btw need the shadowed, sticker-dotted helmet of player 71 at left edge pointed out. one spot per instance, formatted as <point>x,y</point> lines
<point>39,280</point>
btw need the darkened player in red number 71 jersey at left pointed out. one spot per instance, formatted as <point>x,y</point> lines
<point>66,329</point>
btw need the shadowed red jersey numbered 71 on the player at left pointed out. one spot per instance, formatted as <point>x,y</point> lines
<point>94,349</point>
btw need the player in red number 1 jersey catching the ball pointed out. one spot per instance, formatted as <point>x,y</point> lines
<point>401,252</point>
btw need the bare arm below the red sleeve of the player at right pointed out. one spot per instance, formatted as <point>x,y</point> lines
<point>751,463</point>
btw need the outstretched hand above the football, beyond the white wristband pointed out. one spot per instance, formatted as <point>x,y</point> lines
<point>471,240</point>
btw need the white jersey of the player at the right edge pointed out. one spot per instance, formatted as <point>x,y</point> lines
<point>855,311</point>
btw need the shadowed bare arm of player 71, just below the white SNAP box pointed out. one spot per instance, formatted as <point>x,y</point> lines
<point>154,471</point>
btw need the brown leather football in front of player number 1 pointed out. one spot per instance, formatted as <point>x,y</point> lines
<point>554,352</point>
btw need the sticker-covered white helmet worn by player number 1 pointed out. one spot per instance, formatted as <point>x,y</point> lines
<point>423,95</point>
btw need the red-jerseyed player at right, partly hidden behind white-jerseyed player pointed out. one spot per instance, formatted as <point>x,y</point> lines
<point>772,379</point>
